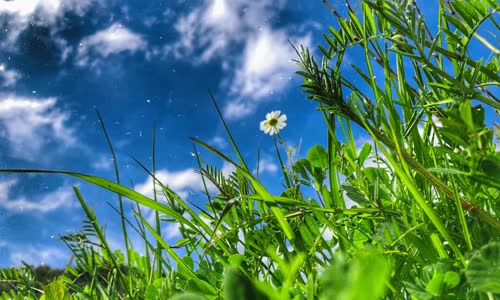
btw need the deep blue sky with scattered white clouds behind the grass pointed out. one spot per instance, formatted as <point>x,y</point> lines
<point>140,63</point>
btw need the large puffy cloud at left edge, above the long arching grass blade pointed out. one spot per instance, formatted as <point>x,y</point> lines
<point>30,124</point>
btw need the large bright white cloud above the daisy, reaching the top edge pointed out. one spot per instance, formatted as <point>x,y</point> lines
<point>216,28</point>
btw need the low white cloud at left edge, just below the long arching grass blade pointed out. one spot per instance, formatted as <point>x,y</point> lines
<point>63,197</point>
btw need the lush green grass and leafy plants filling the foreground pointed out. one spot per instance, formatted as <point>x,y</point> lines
<point>424,224</point>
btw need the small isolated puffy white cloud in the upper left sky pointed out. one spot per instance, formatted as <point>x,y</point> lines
<point>112,40</point>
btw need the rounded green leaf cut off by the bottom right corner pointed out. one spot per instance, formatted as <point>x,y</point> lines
<point>483,270</point>
